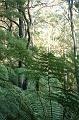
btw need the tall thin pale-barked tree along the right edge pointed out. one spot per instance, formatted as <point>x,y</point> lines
<point>71,4</point>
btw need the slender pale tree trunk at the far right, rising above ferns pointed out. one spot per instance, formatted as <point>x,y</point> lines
<point>74,42</point>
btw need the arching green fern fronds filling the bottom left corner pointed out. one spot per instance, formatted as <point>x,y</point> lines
<point>13,105</point>
